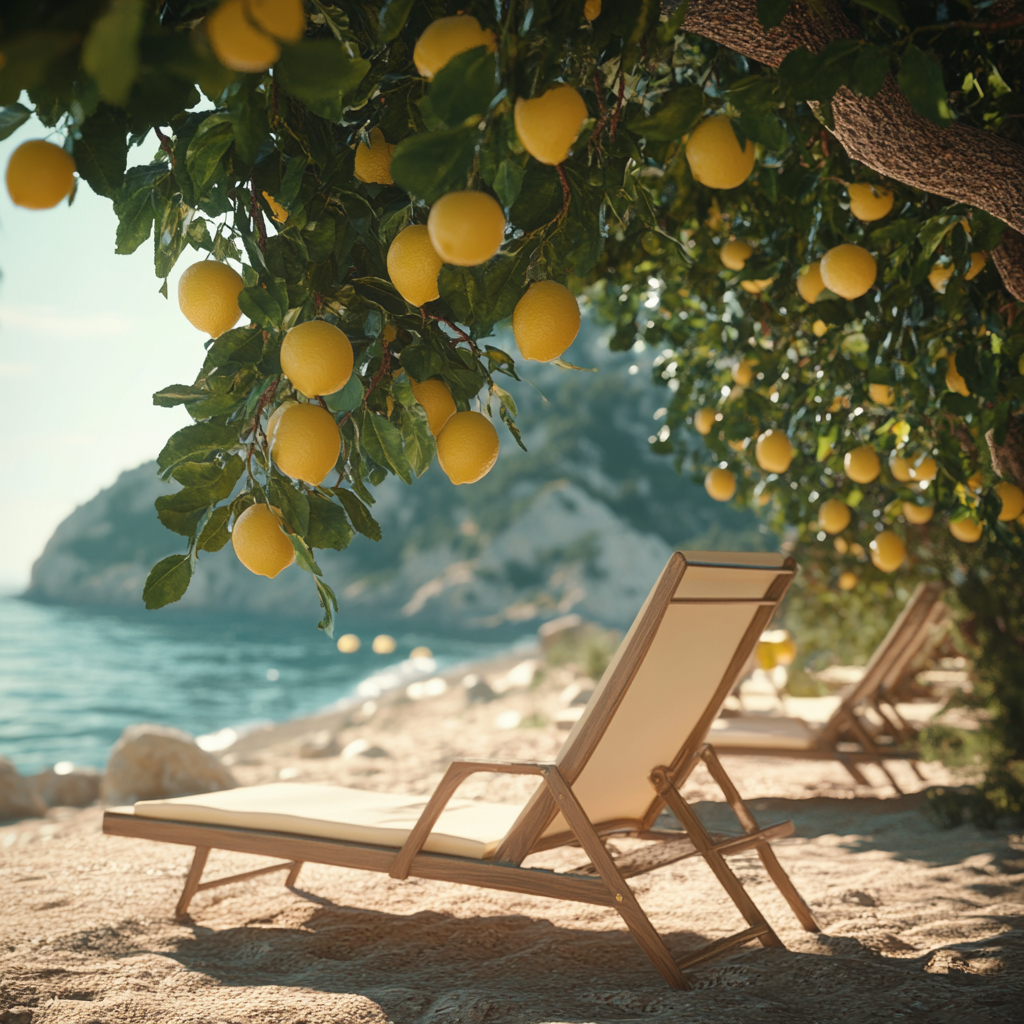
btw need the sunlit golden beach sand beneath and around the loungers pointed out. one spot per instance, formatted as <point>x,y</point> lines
<point>919,923</point>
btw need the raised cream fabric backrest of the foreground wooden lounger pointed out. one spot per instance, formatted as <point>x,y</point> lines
<point>665,687</point>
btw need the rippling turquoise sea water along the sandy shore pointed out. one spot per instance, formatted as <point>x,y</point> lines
<point>71,679</point>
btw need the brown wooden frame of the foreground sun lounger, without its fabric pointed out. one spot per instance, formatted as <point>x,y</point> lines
<point>603,881</point>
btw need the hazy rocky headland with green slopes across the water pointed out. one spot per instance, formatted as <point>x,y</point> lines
<point>583,523</point>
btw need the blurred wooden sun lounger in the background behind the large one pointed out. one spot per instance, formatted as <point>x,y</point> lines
<point>848,737</point>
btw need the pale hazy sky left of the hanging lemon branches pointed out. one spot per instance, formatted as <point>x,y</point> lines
<point>86,339</point>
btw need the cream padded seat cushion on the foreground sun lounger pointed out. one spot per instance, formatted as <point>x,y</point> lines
<point>467,829</point>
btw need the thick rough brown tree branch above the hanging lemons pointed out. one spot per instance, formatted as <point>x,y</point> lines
<point>883,133</point>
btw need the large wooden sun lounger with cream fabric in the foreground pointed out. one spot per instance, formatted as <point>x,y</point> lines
<point>642,736</point>
